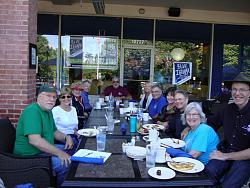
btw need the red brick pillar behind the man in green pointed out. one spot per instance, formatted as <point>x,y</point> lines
<point>18,28</point>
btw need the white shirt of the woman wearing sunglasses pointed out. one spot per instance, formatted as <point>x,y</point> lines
<point>65,121</point>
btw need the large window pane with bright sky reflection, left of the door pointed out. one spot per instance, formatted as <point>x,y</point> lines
<point>90,57</point>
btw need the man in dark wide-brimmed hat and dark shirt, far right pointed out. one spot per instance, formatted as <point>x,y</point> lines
<point>231,165</point>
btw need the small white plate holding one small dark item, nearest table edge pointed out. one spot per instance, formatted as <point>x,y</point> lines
<point>166,173</point>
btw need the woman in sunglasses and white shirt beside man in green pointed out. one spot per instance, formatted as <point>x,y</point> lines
<point>65,116</point>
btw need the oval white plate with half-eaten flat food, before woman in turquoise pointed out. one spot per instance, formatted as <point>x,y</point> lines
<point>186,165</point>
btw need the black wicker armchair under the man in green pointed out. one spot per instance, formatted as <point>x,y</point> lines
<point>18,169</point>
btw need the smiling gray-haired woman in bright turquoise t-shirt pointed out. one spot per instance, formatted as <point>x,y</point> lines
<point>201,139</point>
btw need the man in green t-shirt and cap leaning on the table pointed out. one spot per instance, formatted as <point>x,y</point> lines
<point>36,131</point>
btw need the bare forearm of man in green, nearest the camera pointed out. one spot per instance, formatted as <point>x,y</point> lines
<point>37,141</point>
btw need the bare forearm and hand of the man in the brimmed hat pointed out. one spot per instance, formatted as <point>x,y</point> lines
<point>240,155</point>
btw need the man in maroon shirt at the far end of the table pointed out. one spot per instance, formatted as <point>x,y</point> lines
<point>117,91</point>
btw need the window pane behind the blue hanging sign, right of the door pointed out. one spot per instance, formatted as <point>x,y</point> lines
<point>196,53</point>
